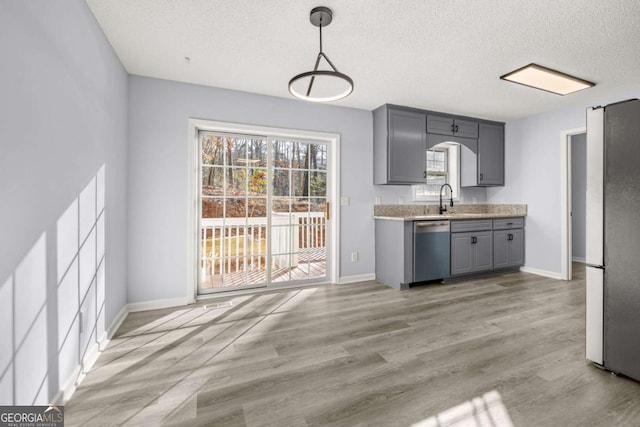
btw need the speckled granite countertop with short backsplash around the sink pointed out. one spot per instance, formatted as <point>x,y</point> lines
<point>430,212</point>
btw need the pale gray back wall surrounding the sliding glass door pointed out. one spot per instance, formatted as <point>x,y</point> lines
<point>157,207</point>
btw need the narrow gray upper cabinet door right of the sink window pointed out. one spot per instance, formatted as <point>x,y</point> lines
<point>491,154</point>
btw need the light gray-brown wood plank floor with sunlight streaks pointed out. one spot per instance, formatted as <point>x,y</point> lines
<point>498,351</point>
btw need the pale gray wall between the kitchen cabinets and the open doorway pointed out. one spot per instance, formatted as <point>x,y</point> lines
<point>532,176</point>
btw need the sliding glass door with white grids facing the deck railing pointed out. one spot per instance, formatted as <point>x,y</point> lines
<point>263,205</point>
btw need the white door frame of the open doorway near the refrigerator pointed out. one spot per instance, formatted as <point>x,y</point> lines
<point>566,254</point>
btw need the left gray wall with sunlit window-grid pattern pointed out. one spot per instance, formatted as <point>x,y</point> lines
<point>63,109</point>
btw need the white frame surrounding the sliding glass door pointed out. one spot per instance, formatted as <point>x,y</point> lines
<point>193,156</point>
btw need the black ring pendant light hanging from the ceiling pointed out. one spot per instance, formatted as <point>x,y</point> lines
<point>321,85</point>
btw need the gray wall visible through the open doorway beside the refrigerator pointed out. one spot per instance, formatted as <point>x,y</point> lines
<point>579,196</point>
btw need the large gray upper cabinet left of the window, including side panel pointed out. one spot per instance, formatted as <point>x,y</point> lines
<point>399,145</point>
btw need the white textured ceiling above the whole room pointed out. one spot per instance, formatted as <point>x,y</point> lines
<point>433,54</point>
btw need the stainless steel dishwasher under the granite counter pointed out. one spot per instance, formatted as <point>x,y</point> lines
<point>431,250</point>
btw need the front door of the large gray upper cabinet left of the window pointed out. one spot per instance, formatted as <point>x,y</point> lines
<point>407,147</point>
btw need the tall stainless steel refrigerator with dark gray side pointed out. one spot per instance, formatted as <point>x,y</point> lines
<point>613,237</point>
